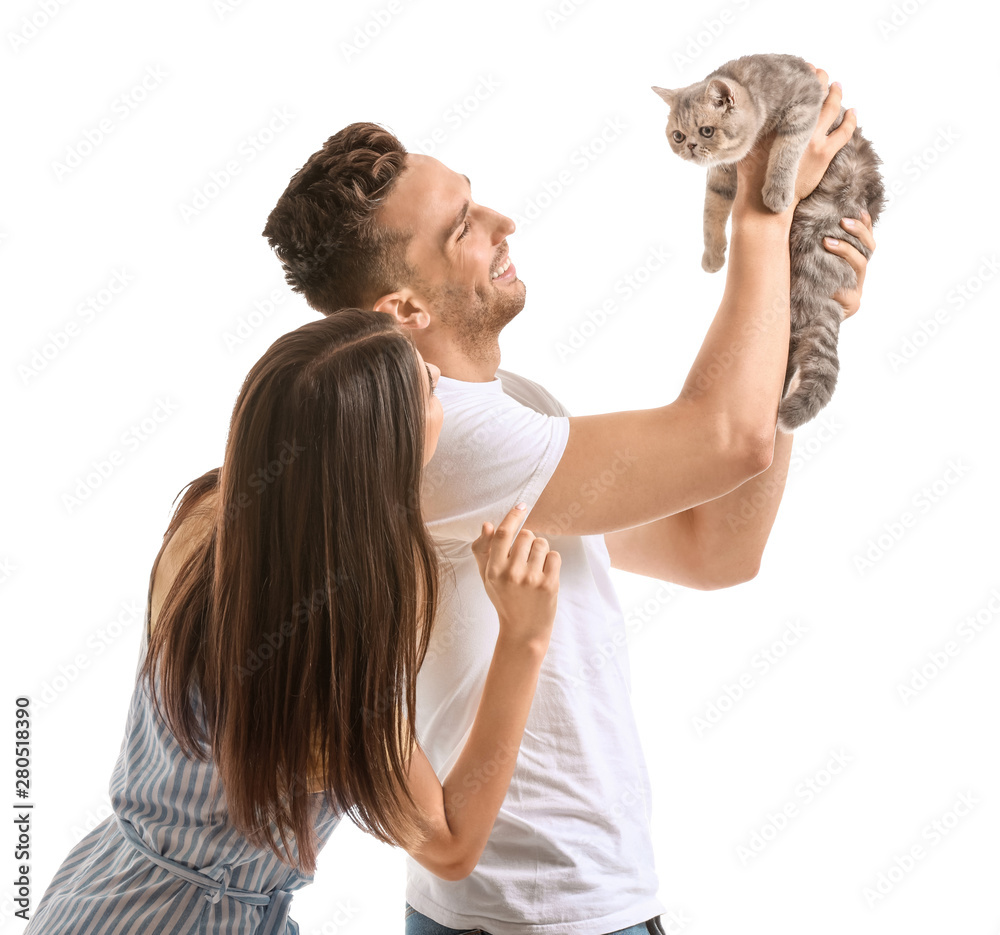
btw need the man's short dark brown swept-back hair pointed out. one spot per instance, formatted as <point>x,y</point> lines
<point>325,227</point>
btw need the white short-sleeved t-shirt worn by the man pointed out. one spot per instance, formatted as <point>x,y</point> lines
<point>571,852</point>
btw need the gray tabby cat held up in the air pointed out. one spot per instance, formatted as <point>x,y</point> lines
<point>715,123</point>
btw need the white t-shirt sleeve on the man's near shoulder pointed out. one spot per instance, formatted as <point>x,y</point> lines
<point>492,453</point>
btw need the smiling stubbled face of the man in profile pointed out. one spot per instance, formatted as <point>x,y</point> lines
<point>456,248</point>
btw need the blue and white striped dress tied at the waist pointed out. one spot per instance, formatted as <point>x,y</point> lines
<point>169,861</point>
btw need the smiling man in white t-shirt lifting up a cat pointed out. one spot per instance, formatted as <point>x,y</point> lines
<point>364,223</point>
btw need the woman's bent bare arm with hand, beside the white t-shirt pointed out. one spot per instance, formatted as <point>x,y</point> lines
<point>459,814</point>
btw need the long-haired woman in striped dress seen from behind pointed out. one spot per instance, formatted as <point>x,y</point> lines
<point>289,611</point>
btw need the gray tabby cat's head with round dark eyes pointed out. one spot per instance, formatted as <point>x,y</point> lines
<point>710,122</point>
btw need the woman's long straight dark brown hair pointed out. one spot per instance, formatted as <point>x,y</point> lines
<point>288,646</point>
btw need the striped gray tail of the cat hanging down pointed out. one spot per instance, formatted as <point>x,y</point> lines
<point>813,366</point>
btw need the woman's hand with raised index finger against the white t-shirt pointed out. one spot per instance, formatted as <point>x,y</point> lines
<point>521,575</point>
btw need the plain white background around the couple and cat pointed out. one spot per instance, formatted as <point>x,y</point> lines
<point>75,574</point>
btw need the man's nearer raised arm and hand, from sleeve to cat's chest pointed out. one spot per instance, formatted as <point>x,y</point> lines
<point>719,432</point>
